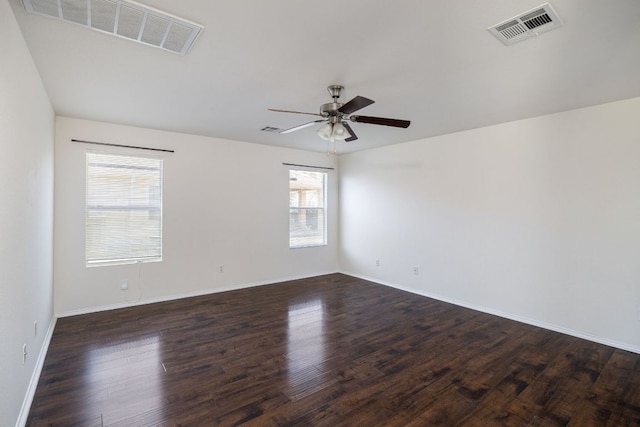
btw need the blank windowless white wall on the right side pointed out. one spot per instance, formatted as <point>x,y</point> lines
<point>537,220</point>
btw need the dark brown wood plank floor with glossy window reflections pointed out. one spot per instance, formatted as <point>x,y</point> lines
<point>330,351</point>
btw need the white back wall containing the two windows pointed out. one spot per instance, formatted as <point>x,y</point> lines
<point>225,203</point>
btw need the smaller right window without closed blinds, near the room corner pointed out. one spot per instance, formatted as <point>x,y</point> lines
<point>307,208</point>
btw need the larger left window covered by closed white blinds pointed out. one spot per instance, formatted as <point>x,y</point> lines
<point>123,221</point>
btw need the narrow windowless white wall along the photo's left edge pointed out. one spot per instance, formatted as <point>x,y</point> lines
<point>26,219</point>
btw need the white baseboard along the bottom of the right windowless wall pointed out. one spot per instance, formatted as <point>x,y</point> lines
<point>510,316</point>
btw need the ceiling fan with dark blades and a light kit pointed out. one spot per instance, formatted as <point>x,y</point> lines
<point>336,117</point>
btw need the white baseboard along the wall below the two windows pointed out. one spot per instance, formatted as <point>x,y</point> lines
<point>174,297</point>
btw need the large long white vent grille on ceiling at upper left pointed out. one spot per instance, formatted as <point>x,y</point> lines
<point>121,18</point>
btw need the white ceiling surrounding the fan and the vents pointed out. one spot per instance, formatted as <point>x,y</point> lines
<point>431,62</point>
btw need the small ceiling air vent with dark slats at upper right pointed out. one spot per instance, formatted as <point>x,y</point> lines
<point>529,24</point>
